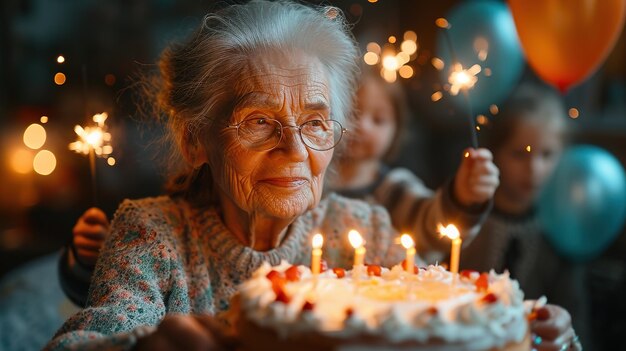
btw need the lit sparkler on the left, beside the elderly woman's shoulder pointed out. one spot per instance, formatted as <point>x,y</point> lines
<point>94,141</point>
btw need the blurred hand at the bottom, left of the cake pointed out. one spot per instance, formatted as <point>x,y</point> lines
<point>186,332</point>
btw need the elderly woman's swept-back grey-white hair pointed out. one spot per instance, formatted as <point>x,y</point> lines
<point>199,75</point>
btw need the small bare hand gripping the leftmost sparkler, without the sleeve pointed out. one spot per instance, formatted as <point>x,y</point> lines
<point>89,234</point>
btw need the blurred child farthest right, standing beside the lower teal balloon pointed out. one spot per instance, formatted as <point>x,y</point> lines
<point>527,137</point>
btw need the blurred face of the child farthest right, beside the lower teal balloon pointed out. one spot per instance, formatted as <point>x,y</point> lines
<point>523,172</point>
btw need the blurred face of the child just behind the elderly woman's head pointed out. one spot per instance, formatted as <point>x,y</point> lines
<point>375,123</point>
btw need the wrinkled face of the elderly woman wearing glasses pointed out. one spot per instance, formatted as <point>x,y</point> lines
<point>287,180</point>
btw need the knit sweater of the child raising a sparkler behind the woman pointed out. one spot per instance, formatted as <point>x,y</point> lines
<point>416,209</point>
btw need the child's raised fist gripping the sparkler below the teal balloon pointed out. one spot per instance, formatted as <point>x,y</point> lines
<point>477,178</point>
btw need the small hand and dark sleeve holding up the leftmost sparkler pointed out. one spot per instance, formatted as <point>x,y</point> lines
<point>78,261</point>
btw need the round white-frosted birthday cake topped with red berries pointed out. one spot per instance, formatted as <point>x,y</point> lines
<point>285,307</point>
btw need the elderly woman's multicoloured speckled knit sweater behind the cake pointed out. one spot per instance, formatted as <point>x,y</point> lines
<point>166,256</point>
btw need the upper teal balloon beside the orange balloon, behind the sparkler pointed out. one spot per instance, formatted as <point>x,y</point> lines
<point>489,22</point>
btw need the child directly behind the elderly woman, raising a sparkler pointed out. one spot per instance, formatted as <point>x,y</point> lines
<point>362,172</point>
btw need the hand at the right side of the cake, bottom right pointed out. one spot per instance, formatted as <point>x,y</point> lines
<point>552,330</point>
